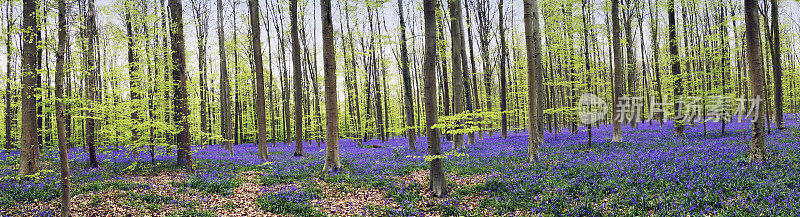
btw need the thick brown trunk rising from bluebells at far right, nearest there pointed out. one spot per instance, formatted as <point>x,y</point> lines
<point>752,33</point>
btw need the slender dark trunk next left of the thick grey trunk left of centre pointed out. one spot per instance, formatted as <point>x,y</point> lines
<point>297,81</point>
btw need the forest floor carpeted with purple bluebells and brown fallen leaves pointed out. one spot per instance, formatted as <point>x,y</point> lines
<point>652,173</point>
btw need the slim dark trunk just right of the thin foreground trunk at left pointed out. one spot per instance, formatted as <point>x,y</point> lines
<point>91,66</point>
